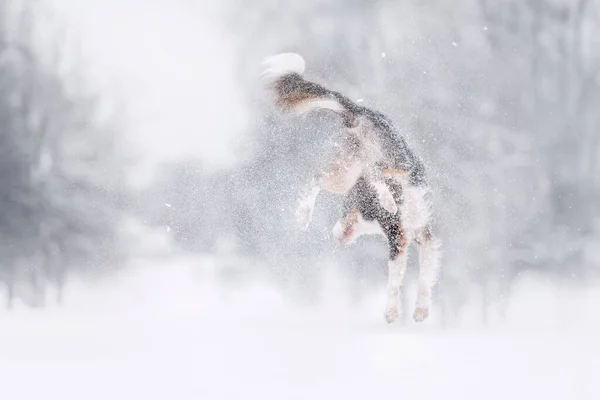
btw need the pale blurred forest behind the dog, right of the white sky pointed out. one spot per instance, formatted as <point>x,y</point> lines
<point>500,98</point>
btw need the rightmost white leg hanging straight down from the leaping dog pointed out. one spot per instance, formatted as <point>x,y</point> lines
<point>429,265</point>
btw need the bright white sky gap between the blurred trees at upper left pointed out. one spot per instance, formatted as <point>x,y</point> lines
<point>173,64</point>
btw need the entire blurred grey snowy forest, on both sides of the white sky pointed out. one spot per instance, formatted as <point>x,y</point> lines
<point>499,97</point>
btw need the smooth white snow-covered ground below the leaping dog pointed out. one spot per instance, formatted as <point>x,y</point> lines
<point>172,333</point>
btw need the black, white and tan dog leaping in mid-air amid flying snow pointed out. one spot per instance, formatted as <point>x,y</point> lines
<point>383,181</point>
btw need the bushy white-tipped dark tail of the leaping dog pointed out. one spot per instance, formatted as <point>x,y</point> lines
<point>283,78</point>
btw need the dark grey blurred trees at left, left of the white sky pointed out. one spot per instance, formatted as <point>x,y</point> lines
<point>62,182</point>
